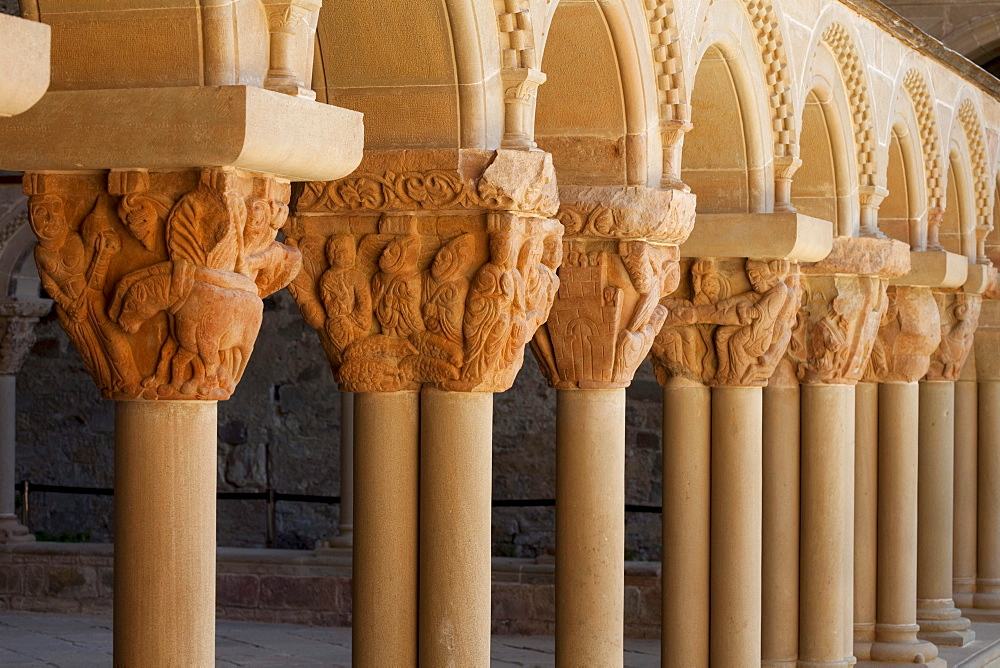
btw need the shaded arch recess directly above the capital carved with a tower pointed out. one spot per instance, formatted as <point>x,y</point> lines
<point>598,110</point>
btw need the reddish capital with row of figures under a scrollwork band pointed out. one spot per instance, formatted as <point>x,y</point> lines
<point>429,267</point>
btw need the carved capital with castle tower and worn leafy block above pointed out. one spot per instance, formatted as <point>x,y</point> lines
<point>620,258</point>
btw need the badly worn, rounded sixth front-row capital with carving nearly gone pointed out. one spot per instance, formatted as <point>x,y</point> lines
<point>908,335</point>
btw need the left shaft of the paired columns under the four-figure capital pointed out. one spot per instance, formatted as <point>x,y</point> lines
<point>387,477</point>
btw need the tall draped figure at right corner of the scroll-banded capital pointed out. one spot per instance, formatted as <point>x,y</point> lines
<point>496,292</point>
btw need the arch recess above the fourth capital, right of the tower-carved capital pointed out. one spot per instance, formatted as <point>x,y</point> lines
<point>724,153</point>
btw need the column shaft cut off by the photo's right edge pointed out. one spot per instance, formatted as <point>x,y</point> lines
<point>987,594</point>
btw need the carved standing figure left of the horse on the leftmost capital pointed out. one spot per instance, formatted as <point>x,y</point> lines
<point>73,269</point>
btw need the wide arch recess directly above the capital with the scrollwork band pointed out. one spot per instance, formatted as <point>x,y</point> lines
<point>425,77</point>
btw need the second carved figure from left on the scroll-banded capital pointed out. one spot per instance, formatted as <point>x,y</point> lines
<point>397,287</point>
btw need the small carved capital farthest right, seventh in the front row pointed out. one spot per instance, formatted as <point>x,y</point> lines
<point>959,313</point>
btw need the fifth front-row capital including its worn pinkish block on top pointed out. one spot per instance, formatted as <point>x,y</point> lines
<point>843,300</point>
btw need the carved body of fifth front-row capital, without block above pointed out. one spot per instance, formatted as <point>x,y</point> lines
<point>836,327</point>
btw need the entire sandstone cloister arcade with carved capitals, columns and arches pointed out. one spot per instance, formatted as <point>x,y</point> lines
<point>788,206</point>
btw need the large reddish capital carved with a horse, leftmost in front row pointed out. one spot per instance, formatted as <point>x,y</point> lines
<point>158,276</point>
